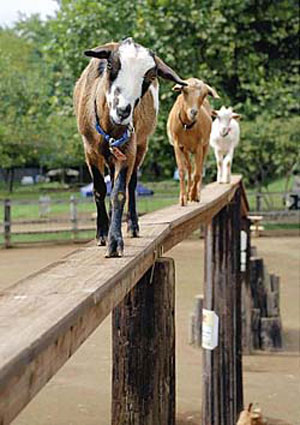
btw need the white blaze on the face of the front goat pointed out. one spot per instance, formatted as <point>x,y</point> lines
<point>135,62</point>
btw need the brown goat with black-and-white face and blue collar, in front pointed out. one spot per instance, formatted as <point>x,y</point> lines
<point>116,104</point>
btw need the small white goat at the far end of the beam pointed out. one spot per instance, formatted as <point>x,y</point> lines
<point>225,136</point>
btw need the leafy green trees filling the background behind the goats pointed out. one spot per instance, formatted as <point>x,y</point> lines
<point>247,49</point>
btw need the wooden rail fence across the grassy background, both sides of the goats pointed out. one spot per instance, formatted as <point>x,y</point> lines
<point>73,219</point>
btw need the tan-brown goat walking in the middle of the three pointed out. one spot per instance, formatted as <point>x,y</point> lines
<point>188,128</point>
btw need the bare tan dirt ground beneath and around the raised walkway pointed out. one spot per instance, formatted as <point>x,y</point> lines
<point>79,394</point>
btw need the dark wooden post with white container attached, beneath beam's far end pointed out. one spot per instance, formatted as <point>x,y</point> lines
<point>222,367</point>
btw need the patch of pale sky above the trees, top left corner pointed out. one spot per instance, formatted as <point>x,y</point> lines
<point>9,9</point>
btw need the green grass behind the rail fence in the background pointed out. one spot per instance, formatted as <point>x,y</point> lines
<point>165,194</point>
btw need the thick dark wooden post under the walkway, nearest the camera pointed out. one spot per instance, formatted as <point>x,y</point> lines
<point>143,384</point>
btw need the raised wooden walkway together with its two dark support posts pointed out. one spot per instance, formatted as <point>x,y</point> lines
<point>47,316</point>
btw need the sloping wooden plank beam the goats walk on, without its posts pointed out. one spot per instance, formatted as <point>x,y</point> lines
<point>47,316</point>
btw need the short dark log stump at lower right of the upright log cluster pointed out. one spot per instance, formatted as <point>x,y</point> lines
<point>271,339</point>
